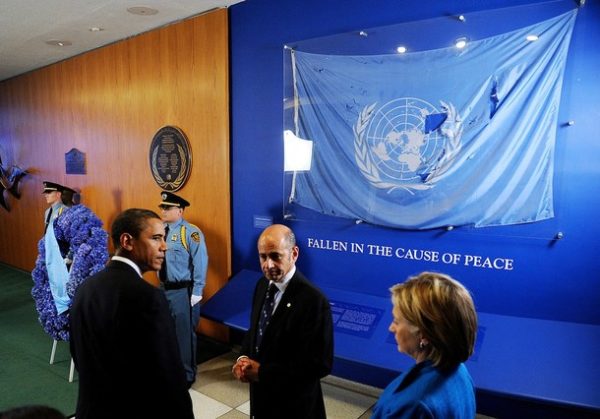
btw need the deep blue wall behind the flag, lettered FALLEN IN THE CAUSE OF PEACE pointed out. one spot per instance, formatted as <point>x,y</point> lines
<point>551,279</point>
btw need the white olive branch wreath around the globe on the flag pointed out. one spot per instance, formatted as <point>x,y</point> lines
<point>451,129</point>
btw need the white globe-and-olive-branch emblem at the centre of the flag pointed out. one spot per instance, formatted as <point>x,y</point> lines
<point>399,145</point>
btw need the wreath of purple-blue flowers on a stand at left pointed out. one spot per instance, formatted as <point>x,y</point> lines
<point>82,230</point>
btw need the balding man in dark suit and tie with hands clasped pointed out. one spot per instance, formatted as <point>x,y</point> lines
<point>289,346</point>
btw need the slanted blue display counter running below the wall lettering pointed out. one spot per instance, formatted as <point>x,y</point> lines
<point>553,364</point>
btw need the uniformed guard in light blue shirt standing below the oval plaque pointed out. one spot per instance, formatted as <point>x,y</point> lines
<point>183,276</point>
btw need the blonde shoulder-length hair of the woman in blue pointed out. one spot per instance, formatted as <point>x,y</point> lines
<point>444,312</point>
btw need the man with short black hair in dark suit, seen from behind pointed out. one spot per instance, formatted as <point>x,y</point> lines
<point>122,335</point>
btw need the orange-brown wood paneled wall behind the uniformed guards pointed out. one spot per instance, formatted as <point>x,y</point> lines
<point>109,103</point>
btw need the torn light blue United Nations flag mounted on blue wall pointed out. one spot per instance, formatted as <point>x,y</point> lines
<point>443,137</point>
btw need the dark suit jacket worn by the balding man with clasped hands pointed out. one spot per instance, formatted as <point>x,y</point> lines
<point>296,352</point>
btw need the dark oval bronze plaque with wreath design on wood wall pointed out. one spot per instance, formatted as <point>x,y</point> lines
<point>170,158</point>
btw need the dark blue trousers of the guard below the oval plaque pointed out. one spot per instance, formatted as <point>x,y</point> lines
<point>185,318</point>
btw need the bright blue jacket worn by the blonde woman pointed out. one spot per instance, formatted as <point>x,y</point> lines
<point>426,392</point>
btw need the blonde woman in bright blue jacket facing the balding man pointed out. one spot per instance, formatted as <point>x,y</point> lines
<point>435,323</point>
